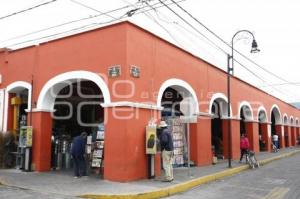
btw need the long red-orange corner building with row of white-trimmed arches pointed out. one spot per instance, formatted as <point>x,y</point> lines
<point>135,76</point>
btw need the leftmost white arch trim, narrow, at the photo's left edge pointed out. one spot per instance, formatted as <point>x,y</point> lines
<point>15,87</point>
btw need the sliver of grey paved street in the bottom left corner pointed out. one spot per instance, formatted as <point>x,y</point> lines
<point>13,193</point>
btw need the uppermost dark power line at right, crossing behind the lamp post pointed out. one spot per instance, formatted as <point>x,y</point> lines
<point>244,56</point>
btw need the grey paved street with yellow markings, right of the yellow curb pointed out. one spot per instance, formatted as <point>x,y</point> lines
<point>280,179</point>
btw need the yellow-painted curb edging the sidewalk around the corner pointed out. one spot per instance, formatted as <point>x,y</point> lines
<point>175,189</point>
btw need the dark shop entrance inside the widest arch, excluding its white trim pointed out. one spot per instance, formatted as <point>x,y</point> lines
<point>77,109</point>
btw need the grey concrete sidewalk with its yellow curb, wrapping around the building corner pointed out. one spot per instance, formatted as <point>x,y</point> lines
<point>92,187</point>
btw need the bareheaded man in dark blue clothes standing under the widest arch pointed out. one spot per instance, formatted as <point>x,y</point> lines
<point>78,152</point>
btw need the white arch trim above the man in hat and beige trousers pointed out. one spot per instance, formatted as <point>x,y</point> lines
<point>177,82</point>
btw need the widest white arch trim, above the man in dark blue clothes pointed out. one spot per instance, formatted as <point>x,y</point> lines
<point>46,101</point>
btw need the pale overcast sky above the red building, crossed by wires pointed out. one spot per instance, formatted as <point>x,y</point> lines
<point>275,24</point>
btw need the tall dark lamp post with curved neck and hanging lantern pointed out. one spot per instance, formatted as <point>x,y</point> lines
<point>254,49</point>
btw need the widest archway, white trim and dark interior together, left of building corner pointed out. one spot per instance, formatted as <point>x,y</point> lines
<point>74,100</point>
